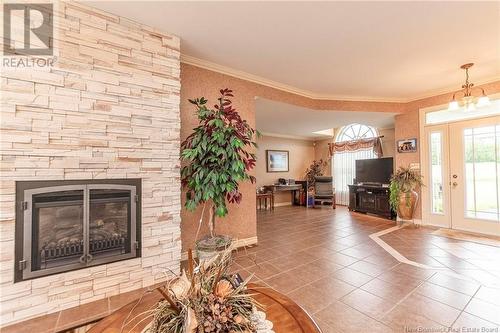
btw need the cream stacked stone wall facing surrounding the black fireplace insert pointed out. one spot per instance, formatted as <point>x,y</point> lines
<point>108,109</point>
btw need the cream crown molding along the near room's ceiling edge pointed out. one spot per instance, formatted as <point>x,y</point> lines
<point>190,60</point>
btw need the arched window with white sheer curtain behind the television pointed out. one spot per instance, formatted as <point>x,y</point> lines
<point>344,163</point>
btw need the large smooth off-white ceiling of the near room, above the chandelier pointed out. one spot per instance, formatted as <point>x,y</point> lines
<point>355,50</point>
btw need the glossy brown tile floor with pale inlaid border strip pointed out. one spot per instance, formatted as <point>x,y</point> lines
<point>325,260</point>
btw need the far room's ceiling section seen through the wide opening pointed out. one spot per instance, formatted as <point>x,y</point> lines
<point>280,119</point>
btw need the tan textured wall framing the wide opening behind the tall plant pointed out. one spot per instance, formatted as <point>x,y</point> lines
<point>241,222</point>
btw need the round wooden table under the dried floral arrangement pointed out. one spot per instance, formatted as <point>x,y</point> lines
<point>285,314</point>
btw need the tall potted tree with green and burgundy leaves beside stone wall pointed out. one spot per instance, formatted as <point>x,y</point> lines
<point>218,156</point>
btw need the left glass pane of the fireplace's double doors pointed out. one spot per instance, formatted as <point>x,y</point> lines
<point>57,238</point>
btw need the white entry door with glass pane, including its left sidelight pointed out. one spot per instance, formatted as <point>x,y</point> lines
<point>462,175</point>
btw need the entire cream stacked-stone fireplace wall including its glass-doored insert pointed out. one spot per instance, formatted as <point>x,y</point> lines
<point>90,187</point>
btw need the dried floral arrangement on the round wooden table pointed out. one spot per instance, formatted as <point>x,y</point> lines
<point>206,298</point>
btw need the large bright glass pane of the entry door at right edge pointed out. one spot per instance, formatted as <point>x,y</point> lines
<point>481,172</point>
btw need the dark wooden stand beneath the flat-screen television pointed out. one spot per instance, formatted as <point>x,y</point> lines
<point>373,199</point>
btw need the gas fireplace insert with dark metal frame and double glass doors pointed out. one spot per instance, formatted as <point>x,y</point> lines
<point>68,227</point>
